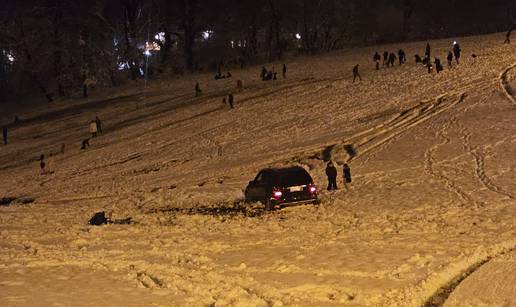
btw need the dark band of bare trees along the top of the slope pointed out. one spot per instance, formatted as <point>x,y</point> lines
<point>56,46</point>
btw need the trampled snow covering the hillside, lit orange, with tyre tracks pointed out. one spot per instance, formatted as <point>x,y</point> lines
<point>428,220</point>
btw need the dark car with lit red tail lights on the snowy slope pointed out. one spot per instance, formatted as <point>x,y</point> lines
<point>277,187</point>
